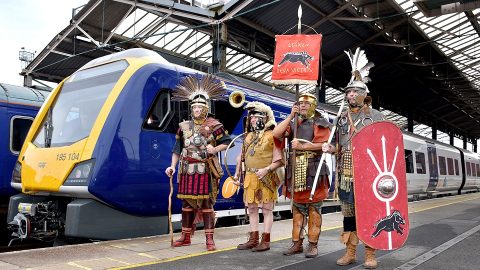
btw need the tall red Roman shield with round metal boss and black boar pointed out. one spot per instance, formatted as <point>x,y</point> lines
<point>380,186</point>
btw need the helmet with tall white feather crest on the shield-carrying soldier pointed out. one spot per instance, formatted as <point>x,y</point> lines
<point>360,70</point>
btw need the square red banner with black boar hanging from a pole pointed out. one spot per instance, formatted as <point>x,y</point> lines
<point>296,59</point>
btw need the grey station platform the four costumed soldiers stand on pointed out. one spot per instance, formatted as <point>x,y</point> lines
<point>444,234</point>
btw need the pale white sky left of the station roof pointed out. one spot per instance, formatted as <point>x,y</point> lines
<point>31,24</point>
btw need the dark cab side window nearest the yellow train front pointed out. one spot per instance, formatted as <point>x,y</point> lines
<point>158,115</point>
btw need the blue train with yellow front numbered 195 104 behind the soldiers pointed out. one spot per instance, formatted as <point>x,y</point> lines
<point>93,163</point>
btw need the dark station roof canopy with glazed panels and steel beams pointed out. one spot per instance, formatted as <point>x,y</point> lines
<point>426,53</point>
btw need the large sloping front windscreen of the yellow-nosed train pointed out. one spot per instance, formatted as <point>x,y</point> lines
<point>78,104</point>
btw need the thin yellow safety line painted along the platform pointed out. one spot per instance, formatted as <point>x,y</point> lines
<point>281,239</point>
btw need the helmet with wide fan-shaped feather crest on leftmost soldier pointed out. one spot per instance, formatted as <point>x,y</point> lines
<point>199,91</point>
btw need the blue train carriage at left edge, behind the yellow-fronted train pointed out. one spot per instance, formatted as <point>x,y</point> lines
<point>18,107</point>
